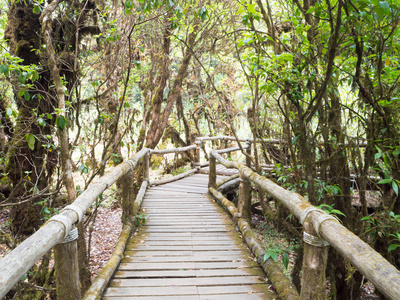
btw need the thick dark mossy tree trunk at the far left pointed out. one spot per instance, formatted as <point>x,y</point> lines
<point>29,166</point>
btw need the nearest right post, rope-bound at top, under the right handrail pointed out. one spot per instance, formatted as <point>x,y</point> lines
<point>315,255</point>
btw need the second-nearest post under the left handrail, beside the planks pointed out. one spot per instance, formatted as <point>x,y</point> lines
<point>128,213</point>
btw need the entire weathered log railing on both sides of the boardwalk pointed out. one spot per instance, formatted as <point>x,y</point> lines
<point>316,224</point>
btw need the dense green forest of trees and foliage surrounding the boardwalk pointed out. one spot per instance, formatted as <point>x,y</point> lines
<point>86,83</point>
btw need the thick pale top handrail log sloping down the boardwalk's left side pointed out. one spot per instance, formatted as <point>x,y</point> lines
<point>17,263</point>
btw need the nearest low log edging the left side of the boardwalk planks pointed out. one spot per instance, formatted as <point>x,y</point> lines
<point>100,283</point>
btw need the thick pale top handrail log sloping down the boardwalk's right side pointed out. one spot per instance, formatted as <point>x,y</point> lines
<point>369,262</point>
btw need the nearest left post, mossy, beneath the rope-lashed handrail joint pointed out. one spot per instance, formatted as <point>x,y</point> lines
<point>67,268</point>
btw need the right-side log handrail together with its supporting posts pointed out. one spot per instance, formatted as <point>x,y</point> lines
<point>320,231</point>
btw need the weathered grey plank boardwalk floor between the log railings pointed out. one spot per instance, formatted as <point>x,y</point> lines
<point>188,249</point>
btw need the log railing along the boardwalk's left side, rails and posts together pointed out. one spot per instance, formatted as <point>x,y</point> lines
<point>62,228</point>
